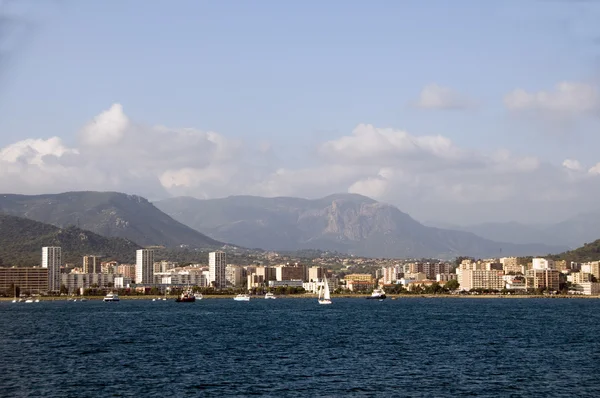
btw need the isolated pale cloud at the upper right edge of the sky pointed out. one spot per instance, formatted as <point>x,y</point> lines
<point>567,98</point>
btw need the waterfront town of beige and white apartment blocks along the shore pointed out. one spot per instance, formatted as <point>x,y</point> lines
<point>345,275</point>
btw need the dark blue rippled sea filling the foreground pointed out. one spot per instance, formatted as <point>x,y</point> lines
<point>294,347</point>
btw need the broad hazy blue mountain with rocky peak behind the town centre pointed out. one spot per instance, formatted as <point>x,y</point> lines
<point>347,223</point>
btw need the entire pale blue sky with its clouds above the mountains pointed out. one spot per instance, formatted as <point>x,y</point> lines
<point>455,112</point>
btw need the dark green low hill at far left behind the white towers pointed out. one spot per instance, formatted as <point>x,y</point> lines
<point>21,242</point>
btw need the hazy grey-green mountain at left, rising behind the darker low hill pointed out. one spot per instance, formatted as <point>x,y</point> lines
<point>110,214</point>
